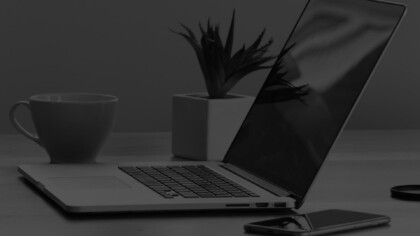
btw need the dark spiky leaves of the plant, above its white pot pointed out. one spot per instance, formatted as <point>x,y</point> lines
<point>221,70</point>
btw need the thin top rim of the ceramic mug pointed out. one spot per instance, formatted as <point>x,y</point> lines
<point>104,98</point>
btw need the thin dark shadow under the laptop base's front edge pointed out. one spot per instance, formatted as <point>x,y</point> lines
<point>177,214</point>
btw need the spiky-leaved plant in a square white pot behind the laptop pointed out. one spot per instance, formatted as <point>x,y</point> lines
<point>204,125</point>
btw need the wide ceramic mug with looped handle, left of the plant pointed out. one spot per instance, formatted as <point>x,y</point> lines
<point>72,127</point>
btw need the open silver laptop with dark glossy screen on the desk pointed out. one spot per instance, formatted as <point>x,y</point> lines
<point>277,152</point>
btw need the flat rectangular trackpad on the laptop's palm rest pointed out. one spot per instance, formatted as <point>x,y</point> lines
<point>88,182</point>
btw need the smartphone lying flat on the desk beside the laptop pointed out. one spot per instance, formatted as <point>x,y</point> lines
<point>317,223</point>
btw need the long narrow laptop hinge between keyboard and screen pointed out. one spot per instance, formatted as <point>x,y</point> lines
<point>256,180</point>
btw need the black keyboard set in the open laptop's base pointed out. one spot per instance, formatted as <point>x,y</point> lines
<point>186,181</point>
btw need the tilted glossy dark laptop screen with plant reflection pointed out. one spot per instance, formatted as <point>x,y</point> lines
<point>311,90</point>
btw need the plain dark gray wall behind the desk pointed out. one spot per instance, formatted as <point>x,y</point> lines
<point>125,48</point>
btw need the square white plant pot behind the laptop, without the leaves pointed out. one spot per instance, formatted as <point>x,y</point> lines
<point>203,128</point>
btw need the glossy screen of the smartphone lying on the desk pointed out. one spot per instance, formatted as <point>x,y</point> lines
<point>321,220</point>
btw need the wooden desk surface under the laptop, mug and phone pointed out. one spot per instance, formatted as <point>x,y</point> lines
<point>362,167</point>
